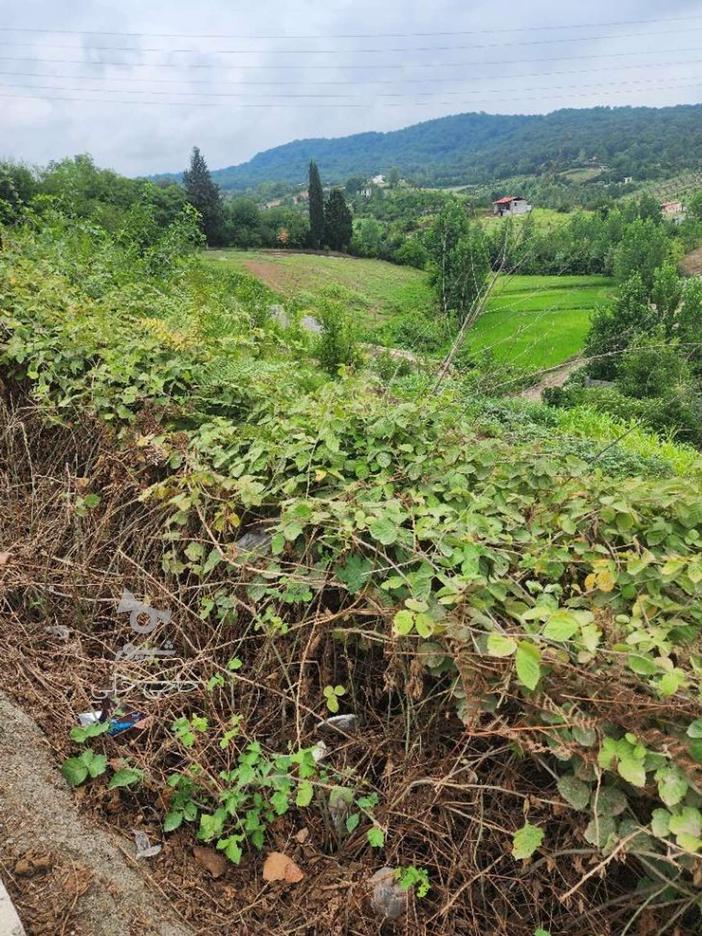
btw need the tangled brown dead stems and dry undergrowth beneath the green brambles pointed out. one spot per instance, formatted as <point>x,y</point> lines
<point>452,795</point>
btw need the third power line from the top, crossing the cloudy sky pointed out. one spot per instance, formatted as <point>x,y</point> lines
<point>376,67</point>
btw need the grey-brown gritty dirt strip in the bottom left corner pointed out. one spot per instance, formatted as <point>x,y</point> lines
<point>64,873</point>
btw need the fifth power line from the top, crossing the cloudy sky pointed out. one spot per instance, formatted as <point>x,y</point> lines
<point>227,94</point>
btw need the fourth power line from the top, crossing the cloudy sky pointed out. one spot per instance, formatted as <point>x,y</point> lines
<point>354,82</point>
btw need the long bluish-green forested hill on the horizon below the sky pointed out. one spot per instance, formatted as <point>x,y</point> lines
<point>643,142</point>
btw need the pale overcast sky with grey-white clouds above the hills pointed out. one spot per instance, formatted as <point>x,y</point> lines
<point>137,84</point>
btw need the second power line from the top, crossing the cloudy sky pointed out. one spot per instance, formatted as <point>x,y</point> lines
<point>401,49</point>
